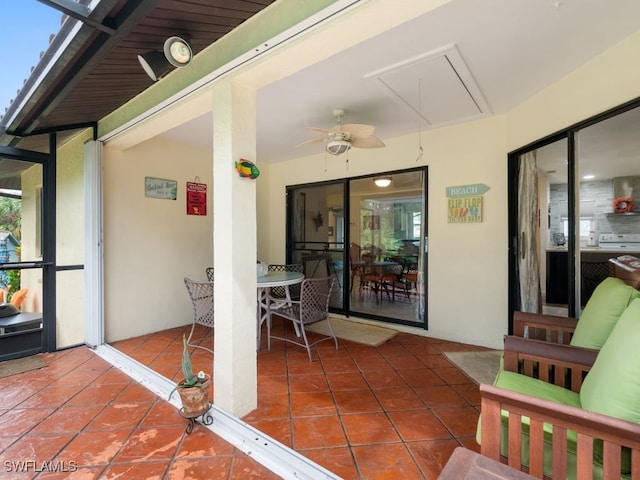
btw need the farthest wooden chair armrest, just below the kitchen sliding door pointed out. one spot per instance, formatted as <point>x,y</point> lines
<point>550,328</point>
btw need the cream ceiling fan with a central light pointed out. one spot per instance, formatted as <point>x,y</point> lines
<point>342,137</point>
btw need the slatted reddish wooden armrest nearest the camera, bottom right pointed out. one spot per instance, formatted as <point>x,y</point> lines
<point>614,433</point>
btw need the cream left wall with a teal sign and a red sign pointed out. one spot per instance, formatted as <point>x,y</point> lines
<point>151,244</point>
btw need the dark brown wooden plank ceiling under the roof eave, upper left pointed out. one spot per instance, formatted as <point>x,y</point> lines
<point>103,73</point>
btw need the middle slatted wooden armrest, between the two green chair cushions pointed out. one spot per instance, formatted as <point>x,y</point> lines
<point>555,363</point>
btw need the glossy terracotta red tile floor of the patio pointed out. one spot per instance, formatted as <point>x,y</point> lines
<point>393,411</point>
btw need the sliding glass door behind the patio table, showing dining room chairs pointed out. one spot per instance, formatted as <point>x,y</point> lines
<point>372,235</point>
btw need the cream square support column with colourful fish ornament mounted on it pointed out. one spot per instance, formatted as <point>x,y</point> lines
<point>234,239</point>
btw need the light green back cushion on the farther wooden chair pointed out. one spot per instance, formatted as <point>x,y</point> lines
<point>608,301</point>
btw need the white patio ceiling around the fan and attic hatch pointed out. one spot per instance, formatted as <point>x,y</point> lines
<point>463,60</point>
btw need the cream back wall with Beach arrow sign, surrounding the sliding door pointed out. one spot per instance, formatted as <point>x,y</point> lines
<point>461,256</point>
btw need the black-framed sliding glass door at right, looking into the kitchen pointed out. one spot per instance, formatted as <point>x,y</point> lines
<point>579,178</point>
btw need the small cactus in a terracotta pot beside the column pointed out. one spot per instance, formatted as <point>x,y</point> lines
<point>193,389</point>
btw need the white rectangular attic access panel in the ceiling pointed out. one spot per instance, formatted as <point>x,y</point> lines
<point>436,86</point>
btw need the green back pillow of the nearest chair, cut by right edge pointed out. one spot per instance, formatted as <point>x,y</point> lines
<point>612,386</point>
